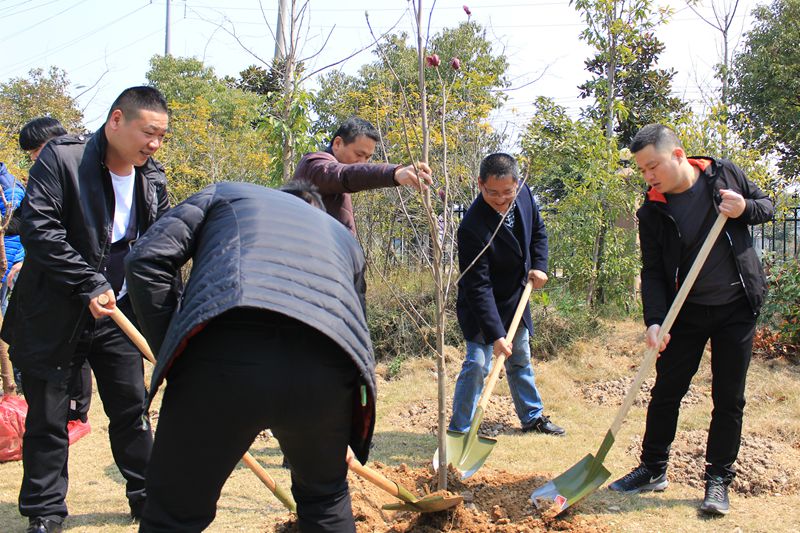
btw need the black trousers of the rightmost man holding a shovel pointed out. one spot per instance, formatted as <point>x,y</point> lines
<point>730,328</point>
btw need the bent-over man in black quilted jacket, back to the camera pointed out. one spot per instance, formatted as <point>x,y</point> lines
<point>272,321</point>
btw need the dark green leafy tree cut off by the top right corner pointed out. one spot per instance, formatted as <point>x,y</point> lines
<point>766,83</point>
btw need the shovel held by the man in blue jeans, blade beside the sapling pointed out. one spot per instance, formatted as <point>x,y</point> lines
<point>467,452</point>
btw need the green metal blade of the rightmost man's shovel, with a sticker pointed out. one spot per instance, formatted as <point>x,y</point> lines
<point>581,479</point>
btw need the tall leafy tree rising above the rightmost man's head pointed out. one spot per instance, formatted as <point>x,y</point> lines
<point>629,91</point>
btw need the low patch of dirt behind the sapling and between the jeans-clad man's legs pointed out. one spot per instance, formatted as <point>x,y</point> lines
<point>500,417</point>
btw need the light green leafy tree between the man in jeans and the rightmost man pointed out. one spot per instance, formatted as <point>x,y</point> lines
<point>588,195</point>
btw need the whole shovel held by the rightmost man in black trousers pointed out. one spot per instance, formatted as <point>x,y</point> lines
<point>589,473</point>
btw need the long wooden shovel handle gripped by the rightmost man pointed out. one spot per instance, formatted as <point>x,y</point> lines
<point>651,353</point>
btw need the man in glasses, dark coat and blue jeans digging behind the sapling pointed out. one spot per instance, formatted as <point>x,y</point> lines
<point>495,268</point>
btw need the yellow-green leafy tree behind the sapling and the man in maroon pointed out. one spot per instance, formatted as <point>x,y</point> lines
<point>459,101</point>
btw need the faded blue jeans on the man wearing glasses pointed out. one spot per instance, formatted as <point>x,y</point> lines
<point>519,371</point>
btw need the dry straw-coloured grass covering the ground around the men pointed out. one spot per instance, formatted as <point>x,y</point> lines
<point>97,502</point>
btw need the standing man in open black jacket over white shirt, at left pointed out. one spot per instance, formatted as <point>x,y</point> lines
<point>87,200</point>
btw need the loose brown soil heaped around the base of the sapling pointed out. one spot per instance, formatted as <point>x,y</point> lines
<point>494,501</point>
